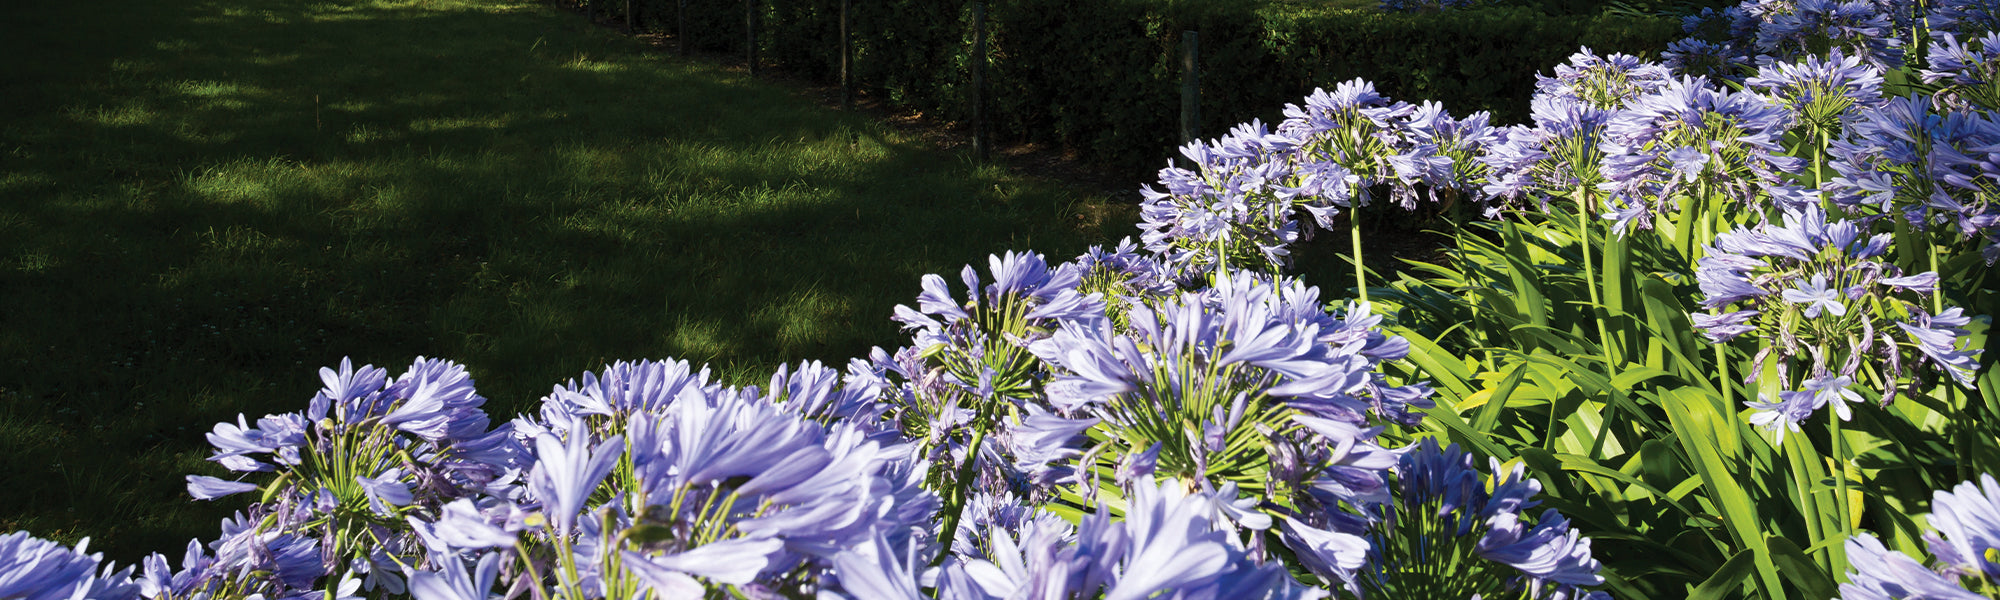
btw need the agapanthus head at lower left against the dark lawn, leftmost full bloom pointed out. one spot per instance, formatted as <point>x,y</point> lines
<point>351,467</point>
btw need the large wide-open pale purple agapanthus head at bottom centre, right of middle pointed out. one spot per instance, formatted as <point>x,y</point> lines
<point>1249,353</point>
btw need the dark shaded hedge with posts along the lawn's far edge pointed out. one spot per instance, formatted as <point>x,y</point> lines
<point>1103,77</point>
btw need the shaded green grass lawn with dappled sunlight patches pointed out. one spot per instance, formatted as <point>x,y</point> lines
<point>207,201</point>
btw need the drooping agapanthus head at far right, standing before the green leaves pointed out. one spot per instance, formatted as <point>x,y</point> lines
<point>1831,303</point>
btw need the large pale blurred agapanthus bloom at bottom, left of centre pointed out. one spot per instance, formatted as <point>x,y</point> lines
<point>697,491</point>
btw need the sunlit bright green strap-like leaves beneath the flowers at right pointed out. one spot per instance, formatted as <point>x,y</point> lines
<point>1643,439</point>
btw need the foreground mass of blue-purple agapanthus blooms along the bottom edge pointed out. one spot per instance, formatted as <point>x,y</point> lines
<point>1207,443</point>
